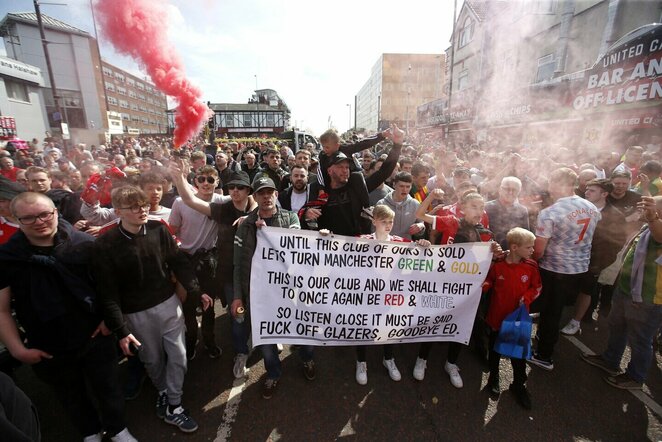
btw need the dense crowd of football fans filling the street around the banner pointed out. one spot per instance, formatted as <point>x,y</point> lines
<point>123,246</point>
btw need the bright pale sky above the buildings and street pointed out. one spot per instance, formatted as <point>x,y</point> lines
<point>315,55</point>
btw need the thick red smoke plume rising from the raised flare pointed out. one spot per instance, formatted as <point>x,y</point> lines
<point>138,28</point>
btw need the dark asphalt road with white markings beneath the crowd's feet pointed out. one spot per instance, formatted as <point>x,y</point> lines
<point>570,403</point>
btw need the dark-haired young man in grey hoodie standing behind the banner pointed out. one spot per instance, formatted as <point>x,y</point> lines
<point>405,223</point>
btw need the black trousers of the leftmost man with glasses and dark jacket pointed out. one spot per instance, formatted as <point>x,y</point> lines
<point>96,364</point>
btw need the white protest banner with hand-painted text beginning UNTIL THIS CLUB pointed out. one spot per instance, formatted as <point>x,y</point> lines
<point>337,290</point>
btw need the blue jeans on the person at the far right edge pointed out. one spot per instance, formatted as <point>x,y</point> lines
<point>634,325</point>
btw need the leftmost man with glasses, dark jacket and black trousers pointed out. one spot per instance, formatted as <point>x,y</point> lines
<point>45,274</point>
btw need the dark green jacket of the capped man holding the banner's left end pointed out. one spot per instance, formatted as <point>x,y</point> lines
<point>245,242</point>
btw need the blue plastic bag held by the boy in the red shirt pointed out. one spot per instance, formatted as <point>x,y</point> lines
<point>514,340</point>
